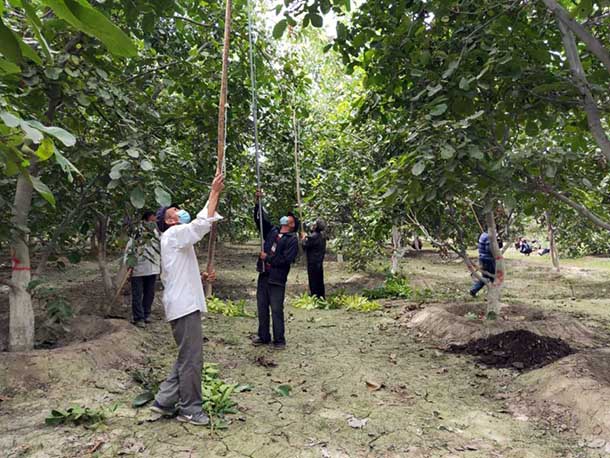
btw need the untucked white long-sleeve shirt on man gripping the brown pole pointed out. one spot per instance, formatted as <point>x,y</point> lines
<point>183,293</point>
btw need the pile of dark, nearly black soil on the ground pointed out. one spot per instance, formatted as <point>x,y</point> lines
<point>519,349</point>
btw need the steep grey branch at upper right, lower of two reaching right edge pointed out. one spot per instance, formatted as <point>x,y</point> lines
<point>580,79</point>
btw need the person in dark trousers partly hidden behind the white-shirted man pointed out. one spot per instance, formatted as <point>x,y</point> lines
<point>143,256</point>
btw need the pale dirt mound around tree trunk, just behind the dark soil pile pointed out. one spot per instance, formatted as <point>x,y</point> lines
<point>458,324</point>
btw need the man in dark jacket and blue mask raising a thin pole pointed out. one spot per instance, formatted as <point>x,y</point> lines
<point>280,250</point>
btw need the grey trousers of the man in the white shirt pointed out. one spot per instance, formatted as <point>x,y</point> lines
<point>182,388</point>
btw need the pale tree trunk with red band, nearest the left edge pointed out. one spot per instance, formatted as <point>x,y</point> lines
<point>21,319</point>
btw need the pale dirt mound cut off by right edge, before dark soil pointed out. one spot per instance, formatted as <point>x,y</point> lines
<point>575,389</point>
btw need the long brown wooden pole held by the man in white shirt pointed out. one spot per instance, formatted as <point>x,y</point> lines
<point>221,134</point>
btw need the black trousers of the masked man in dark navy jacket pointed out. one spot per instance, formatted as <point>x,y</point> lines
<point>270,296</point>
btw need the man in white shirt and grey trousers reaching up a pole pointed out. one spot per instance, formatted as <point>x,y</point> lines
<point>184,302</point>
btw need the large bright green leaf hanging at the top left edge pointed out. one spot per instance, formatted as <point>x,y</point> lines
<point>84,17</point>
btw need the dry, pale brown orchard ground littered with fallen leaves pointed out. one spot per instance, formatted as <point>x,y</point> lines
<point>363,385</point>
